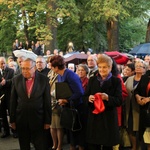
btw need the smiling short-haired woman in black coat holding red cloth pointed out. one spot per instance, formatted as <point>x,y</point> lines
<point>102,127</point>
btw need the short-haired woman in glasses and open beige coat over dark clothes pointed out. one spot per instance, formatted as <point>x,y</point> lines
<point>131,106</point>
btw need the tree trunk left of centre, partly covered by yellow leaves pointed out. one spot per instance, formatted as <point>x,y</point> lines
<point>51,23</point>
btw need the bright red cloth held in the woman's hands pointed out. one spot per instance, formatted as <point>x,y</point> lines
<point>98,104</point>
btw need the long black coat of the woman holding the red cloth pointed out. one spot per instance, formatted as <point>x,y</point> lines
<point>102,129</point>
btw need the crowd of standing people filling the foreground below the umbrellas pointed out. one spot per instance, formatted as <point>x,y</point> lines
<point>28,97</point>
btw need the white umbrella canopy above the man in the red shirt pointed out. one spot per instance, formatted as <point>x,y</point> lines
<point>25,53</point>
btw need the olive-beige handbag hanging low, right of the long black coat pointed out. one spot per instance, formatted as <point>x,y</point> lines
<point>124,138</point>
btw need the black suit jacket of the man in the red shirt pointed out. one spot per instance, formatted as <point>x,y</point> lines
<point>31,112</point>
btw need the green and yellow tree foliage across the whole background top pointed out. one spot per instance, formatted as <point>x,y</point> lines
<point>82,22</point>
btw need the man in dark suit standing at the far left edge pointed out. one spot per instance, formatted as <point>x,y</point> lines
<point>6,74</point>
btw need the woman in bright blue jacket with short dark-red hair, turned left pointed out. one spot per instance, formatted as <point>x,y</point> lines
<point>66,75</point>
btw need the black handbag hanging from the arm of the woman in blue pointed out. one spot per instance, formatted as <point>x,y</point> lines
<point>70,119</point>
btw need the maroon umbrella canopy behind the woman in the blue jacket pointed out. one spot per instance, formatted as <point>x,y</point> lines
<point>75,58</point>
